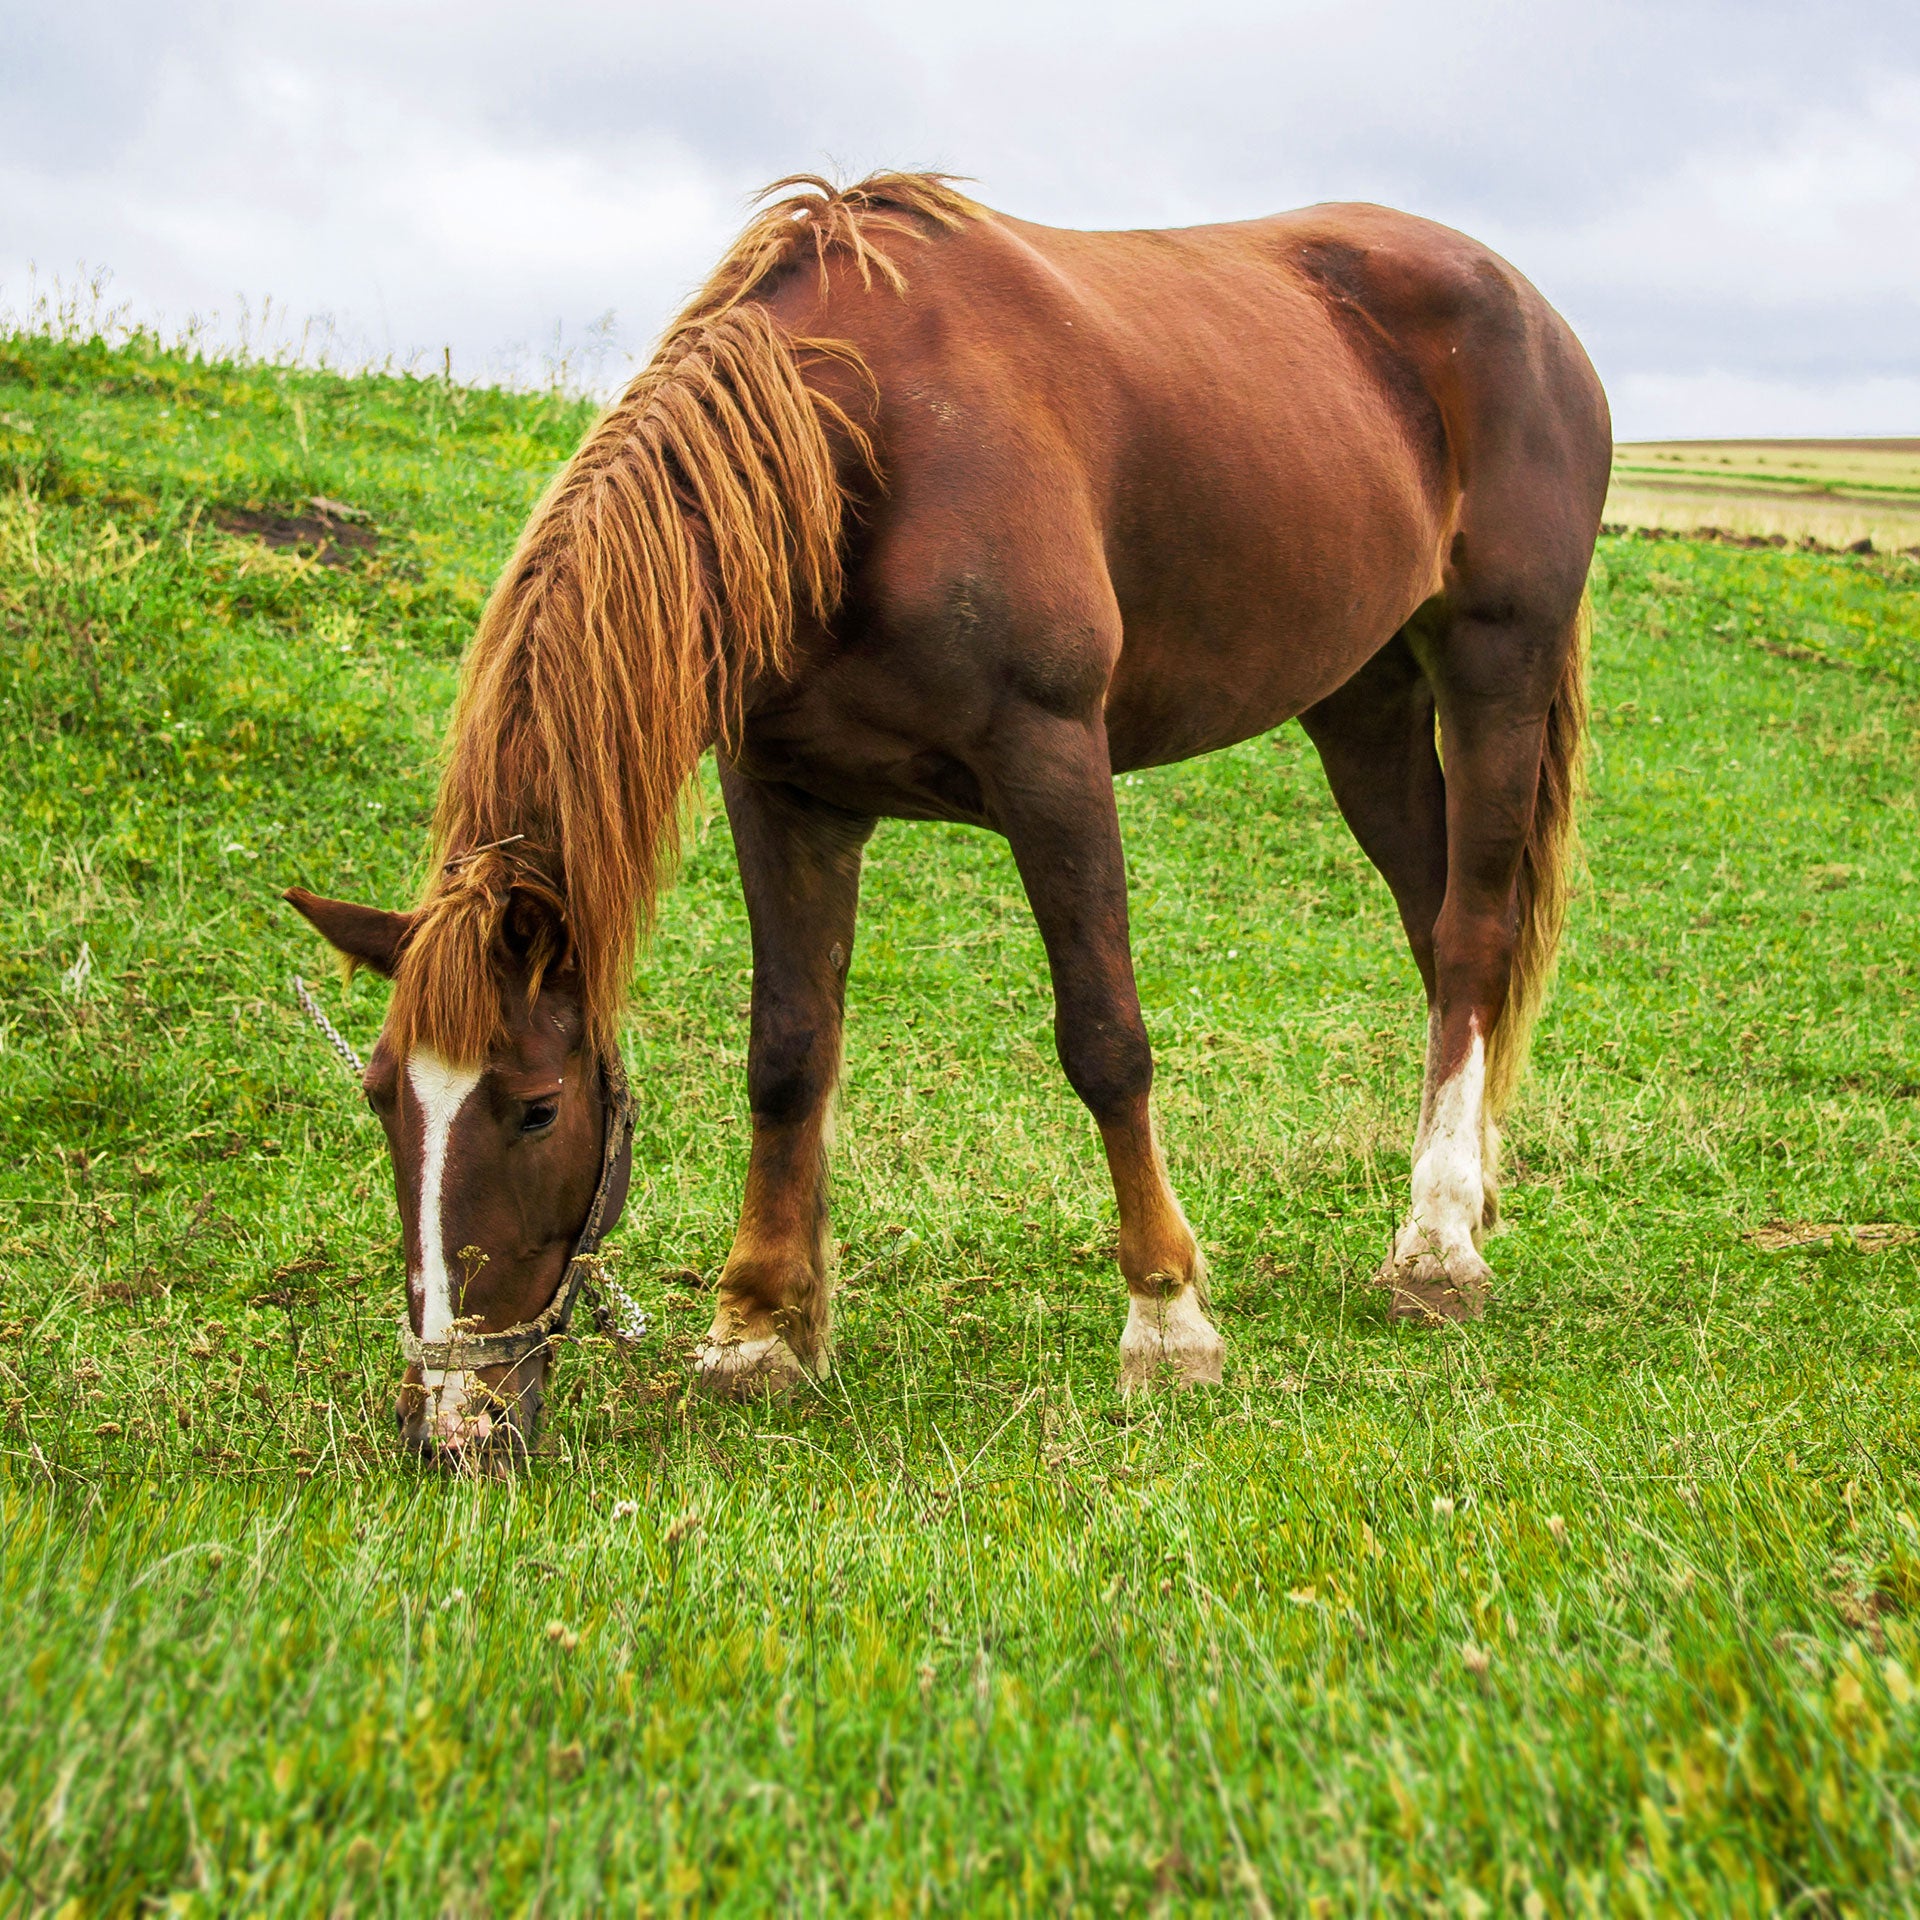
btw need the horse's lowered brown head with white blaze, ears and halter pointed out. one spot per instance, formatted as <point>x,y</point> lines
<point>500,1163</point>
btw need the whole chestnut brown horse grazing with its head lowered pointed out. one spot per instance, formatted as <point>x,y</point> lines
<point>923,512</point>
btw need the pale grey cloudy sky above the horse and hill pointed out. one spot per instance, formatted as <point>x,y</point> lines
<point>1725,199</point>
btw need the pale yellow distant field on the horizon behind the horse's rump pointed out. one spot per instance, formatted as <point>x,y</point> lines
<point>1835,492</point>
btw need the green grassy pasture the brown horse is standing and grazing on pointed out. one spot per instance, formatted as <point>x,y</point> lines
<point>1610,1604</point>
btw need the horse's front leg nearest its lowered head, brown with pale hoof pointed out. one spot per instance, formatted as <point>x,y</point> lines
<point>800,867</point>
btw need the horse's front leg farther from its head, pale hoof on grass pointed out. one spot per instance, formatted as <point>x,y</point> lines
<point>1051,790</point>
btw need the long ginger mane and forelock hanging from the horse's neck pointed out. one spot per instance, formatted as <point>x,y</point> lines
<point>656,583</point>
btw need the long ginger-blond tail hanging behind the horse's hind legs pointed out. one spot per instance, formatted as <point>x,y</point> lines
<point>1547,871</point>
